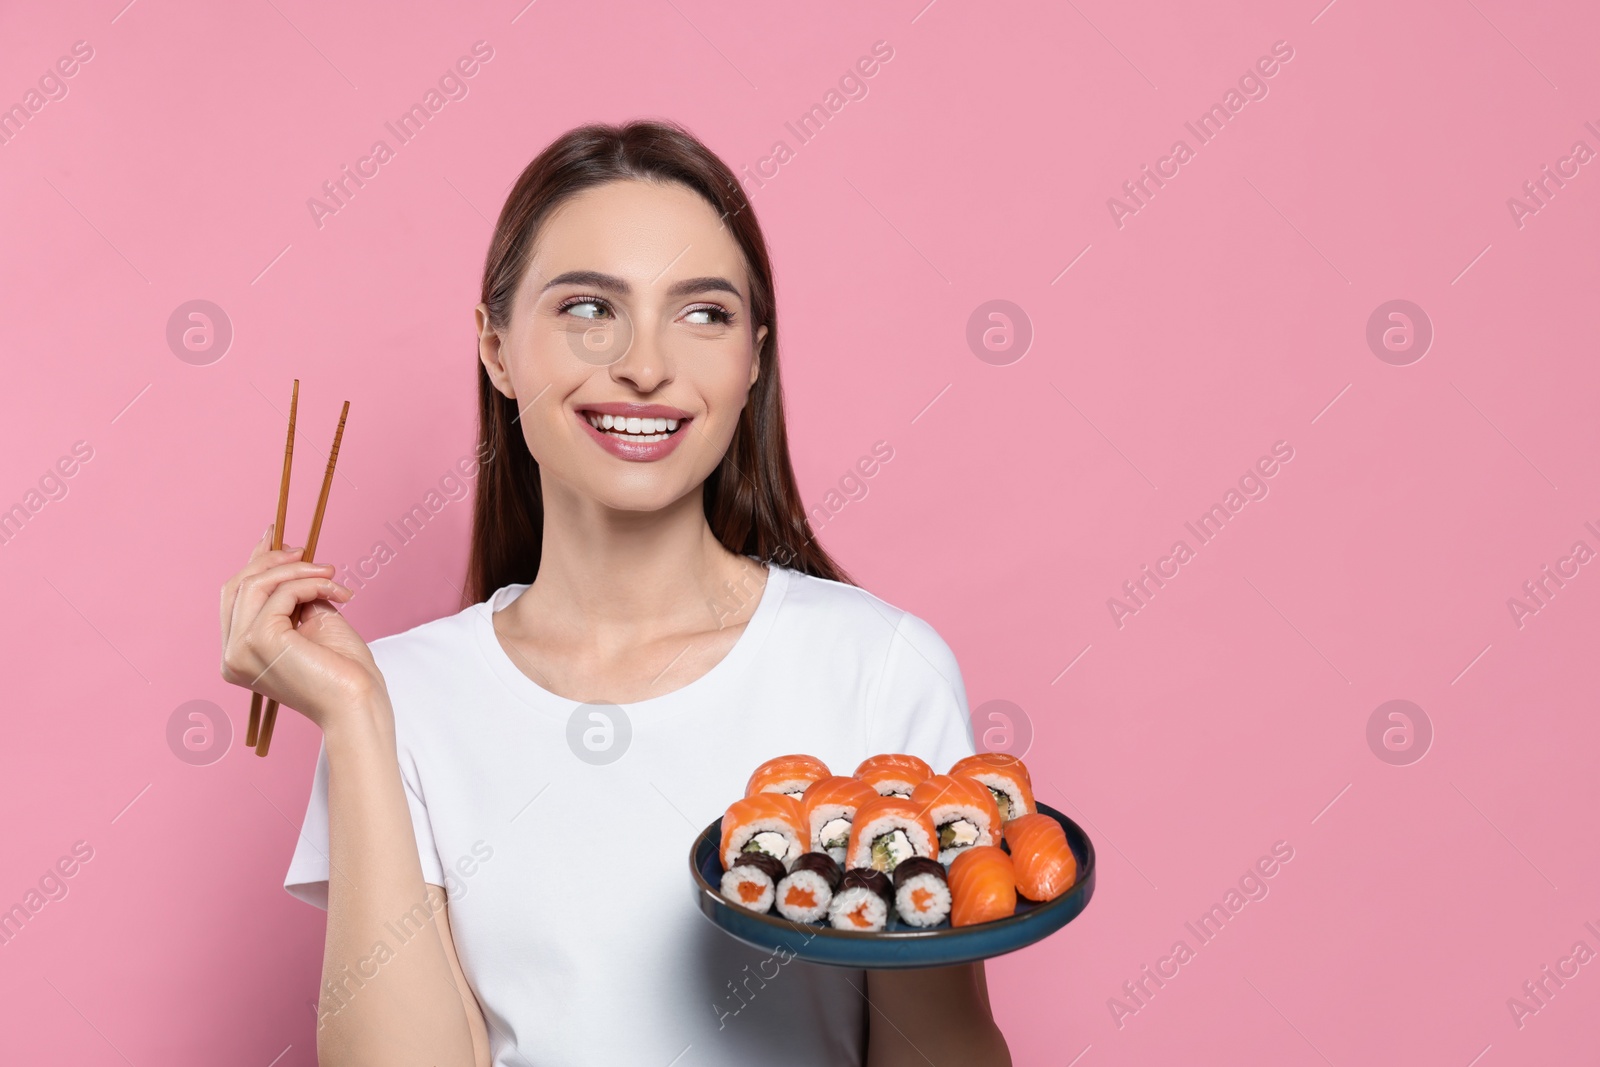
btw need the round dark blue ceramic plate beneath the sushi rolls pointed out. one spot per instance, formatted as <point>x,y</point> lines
<point>897,946</point>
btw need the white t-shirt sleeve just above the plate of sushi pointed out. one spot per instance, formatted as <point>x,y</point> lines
<point>922,700</point>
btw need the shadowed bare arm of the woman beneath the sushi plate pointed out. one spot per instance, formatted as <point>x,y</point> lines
<point>934,1017</point>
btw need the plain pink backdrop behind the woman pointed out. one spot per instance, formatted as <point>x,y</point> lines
<point>1226,316</point>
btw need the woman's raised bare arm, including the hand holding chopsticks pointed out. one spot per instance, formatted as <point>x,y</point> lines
<point>393,993</point>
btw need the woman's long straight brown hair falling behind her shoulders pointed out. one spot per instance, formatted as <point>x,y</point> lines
<point>751,498</point>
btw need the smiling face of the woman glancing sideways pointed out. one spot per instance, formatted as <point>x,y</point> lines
<point>630,350</point>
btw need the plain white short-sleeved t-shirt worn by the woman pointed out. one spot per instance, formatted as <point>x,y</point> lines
<point>570,893</point>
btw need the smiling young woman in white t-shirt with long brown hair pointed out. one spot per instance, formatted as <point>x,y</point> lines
<point>506,797</point>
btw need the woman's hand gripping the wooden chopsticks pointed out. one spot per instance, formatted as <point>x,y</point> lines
<point>322,668</point>
